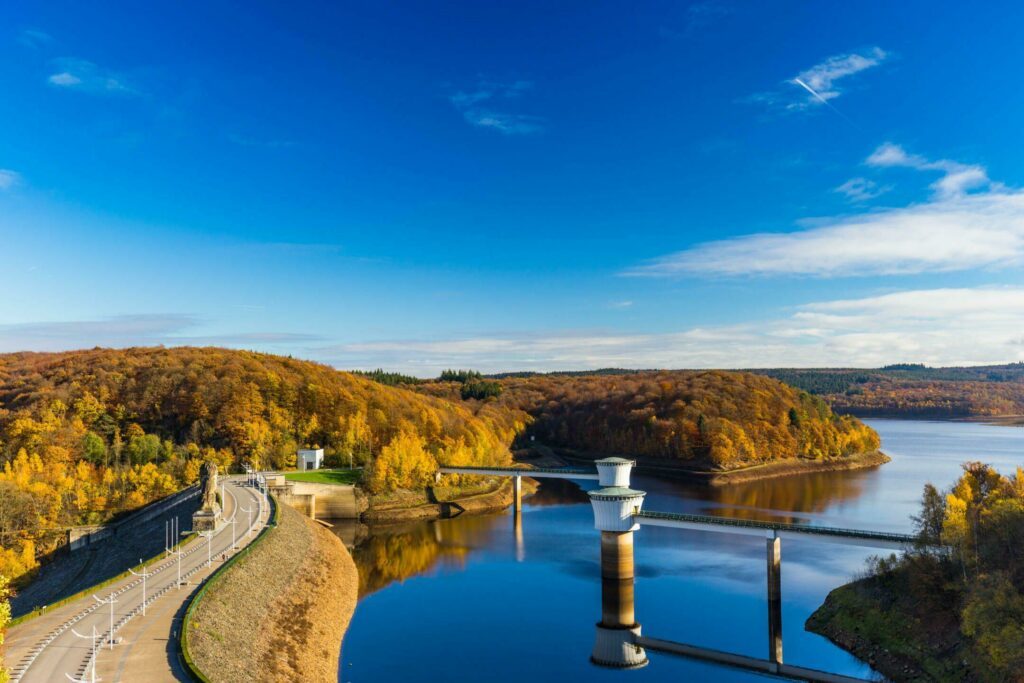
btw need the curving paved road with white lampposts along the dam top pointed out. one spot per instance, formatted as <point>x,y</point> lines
<point>48,650</point>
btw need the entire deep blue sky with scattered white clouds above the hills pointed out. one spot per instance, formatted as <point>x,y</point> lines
<point>419,186</point>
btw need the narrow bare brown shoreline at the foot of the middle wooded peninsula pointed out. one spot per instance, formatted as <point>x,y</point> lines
<point>780,468</point>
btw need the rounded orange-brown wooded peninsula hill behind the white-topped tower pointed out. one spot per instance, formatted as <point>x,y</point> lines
<point>721,419</point>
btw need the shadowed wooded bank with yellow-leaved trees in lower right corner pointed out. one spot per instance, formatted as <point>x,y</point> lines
<point>945,613</point>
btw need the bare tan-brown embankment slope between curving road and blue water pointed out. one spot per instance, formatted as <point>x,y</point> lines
<point>279,614</point>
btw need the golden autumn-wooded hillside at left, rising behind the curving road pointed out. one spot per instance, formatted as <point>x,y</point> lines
<point>86,436</point>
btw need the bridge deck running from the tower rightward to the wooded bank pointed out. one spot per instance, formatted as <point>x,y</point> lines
<point>752,528</point>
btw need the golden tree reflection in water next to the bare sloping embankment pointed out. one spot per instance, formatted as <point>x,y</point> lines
<point>396,553</point>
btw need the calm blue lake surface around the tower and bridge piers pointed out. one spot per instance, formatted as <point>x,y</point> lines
<point>470,600</point>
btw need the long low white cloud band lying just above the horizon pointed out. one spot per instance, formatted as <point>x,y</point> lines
<point>937,327</point>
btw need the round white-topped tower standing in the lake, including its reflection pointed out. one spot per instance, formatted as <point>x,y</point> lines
<point>614,506</point>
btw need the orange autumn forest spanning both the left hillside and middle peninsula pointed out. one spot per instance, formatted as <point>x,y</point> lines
<point>87,436</point>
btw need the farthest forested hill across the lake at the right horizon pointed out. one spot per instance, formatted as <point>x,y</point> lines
<point>915,390</point>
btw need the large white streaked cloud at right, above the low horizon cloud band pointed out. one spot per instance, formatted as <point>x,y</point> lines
<point>955,231</point>
